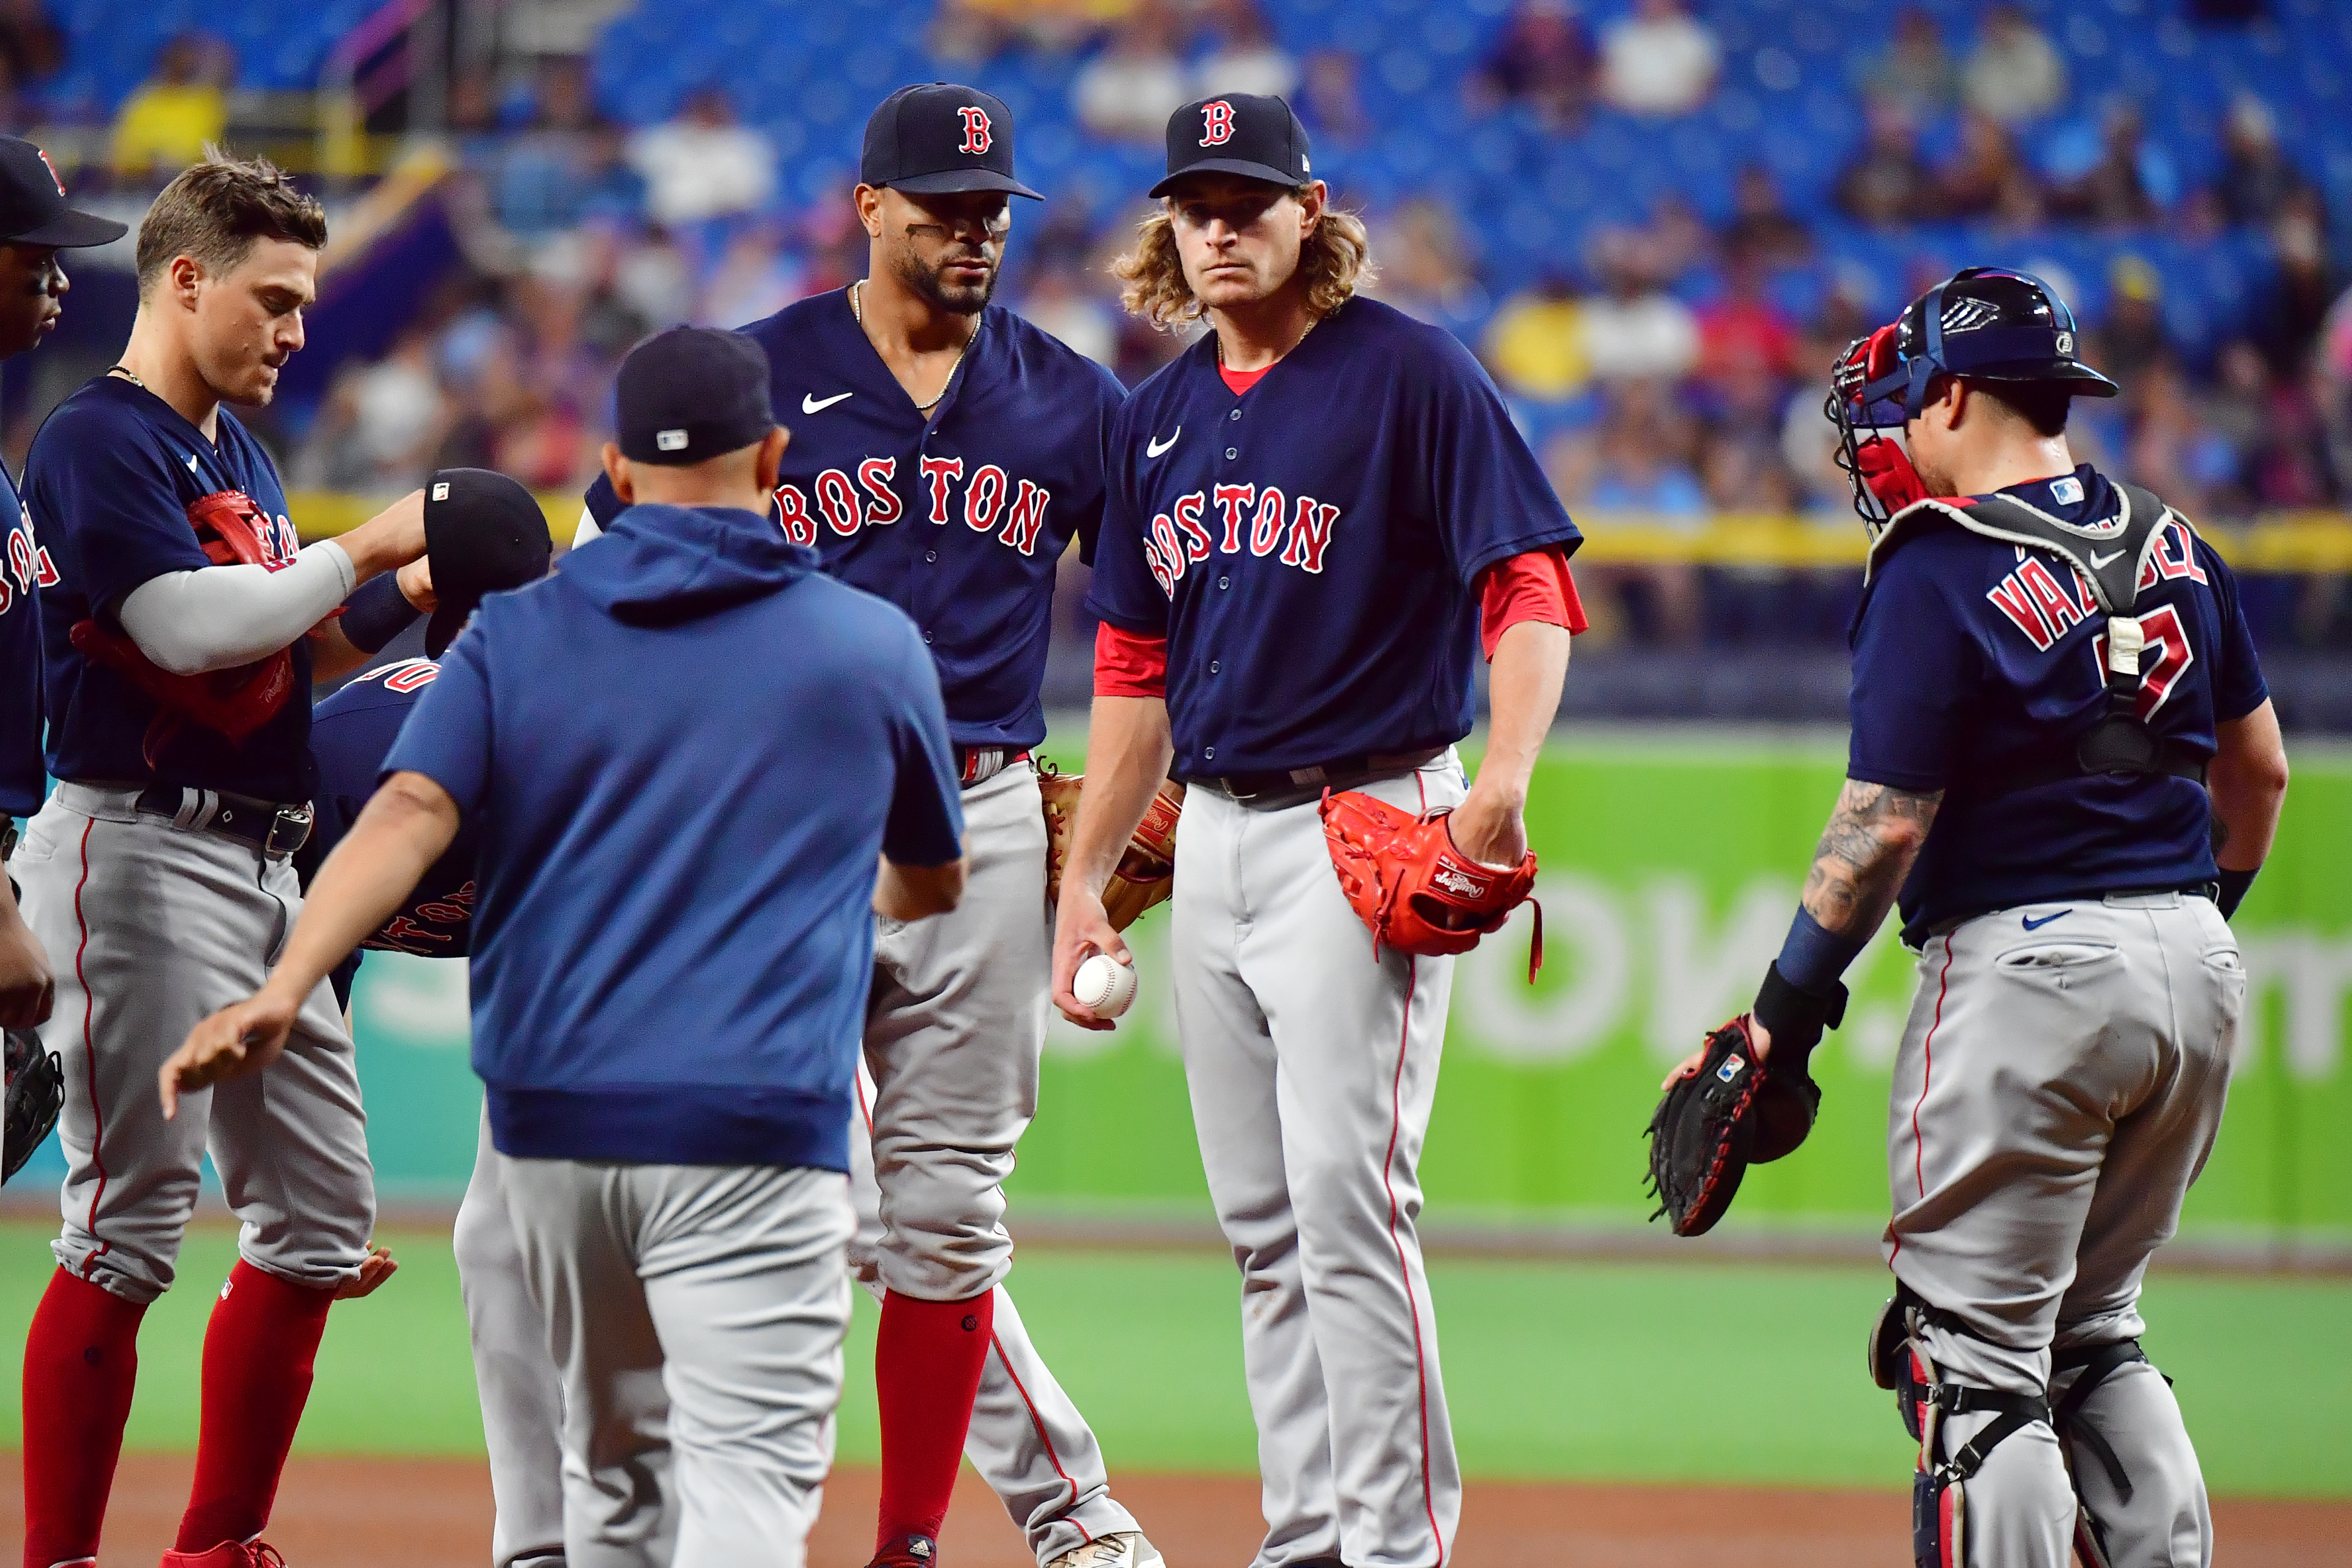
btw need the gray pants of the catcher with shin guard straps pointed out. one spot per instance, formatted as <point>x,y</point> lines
<point>2059,1090</point>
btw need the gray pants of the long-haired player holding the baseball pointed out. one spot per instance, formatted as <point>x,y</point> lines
<point>1314,1068</point>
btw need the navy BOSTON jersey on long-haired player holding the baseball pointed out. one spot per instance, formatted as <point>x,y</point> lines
<point>1309,549</point>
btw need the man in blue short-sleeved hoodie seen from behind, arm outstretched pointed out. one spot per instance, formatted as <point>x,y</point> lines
<point>671,956</point>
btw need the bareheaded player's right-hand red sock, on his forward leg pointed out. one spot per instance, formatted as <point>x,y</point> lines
<point>258,1376</point>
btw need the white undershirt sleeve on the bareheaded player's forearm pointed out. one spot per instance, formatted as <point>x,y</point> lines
<point>225,617</point>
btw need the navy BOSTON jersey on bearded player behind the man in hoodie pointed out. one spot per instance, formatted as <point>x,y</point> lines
<point>958,518</point>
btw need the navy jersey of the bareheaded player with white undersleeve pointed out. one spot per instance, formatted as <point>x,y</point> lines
<point>112,478</point>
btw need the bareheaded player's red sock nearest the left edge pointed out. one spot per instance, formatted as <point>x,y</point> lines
<point>81,1360</point>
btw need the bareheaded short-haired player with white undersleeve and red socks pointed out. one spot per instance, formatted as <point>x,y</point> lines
<point>180,638</point>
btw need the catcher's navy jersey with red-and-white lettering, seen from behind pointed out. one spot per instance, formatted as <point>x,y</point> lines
<point>1975,657</point>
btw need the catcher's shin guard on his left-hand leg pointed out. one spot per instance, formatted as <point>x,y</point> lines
<point>1899,1360</point>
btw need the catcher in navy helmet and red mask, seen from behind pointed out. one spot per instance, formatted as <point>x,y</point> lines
<point>2064,772</point>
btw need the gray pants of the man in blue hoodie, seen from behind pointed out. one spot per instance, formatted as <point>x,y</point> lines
<point>697,1320</point>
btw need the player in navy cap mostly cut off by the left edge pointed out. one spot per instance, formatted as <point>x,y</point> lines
<point>36,225</point>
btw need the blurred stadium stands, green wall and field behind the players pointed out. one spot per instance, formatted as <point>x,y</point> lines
<point>1657,222</point>
